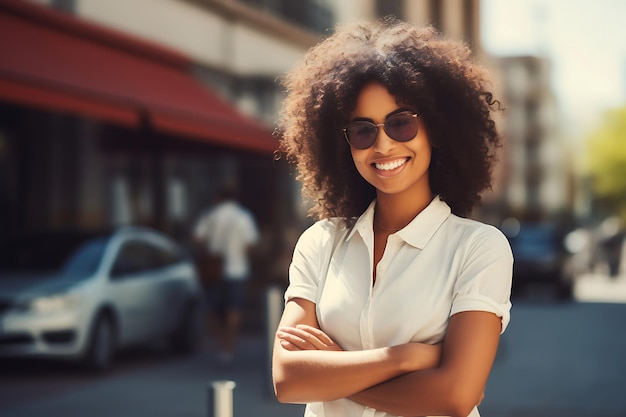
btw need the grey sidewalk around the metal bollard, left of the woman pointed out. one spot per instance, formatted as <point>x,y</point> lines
<point>177,388</point>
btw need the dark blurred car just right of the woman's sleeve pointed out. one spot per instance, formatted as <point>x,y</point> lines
<point>538,257</point>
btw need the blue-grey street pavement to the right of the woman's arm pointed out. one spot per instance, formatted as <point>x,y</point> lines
<point>560,359</point>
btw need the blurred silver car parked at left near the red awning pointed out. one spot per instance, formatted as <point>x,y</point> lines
<point>132,286</point>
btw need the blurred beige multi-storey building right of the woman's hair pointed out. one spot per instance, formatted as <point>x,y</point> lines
<point>538,174</point>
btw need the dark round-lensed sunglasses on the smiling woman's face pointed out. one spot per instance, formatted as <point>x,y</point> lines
<point>401,127</point>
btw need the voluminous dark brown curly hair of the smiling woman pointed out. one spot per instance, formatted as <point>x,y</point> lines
<point>435,76</point>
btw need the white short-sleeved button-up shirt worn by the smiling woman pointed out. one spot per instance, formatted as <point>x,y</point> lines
<point>437,266</point>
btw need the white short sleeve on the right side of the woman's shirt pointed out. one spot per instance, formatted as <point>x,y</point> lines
<point>484,283</point>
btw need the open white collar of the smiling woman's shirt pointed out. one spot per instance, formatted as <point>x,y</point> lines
<point>418,232</point>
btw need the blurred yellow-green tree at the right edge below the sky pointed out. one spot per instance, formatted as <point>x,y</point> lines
<point>606,161</point>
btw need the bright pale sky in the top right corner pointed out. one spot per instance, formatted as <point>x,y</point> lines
<point>585,41</point>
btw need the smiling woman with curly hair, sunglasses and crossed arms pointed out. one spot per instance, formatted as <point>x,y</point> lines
<point>395,303</point>
